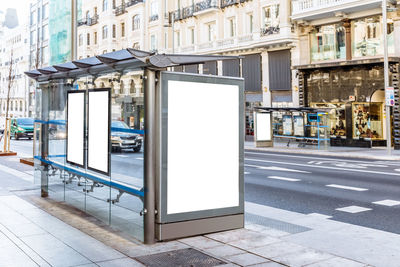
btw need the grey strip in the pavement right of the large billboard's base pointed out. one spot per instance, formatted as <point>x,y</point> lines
<point>276,224</point>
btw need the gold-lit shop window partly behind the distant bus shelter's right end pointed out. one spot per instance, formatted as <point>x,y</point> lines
<point>337,117</point>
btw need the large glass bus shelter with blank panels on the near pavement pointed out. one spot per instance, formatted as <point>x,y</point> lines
<point>125,139</point>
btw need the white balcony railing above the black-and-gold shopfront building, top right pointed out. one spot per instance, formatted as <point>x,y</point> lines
<point>301,6</point>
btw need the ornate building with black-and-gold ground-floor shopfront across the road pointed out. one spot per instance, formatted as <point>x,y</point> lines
<point>340,67</point>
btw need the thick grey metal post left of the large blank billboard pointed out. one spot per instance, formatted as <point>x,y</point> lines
<point>150,139</point>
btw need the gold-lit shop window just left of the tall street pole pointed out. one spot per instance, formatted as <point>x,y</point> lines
<point>367,120</point>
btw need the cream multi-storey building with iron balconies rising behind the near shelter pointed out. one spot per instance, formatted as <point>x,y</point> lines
<point>259,31</point>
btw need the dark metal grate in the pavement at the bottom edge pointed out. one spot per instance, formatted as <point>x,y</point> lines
<point>188,257</point>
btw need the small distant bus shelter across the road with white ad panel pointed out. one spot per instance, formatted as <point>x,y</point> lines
<point>306,126</point>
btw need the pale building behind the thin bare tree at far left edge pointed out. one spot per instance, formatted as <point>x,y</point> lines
<point>14,60</point>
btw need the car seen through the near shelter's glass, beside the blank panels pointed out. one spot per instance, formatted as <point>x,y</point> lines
<point>121,138</point>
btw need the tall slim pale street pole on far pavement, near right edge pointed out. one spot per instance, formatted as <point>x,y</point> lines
<point>386,74</point>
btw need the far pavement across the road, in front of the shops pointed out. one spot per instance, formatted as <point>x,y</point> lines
<point>349,152</point>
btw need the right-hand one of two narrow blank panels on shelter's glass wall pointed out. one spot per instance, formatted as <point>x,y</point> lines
<point>98,130</point>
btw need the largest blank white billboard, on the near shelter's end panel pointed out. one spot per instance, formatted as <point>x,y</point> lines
<point>203,146</point>
